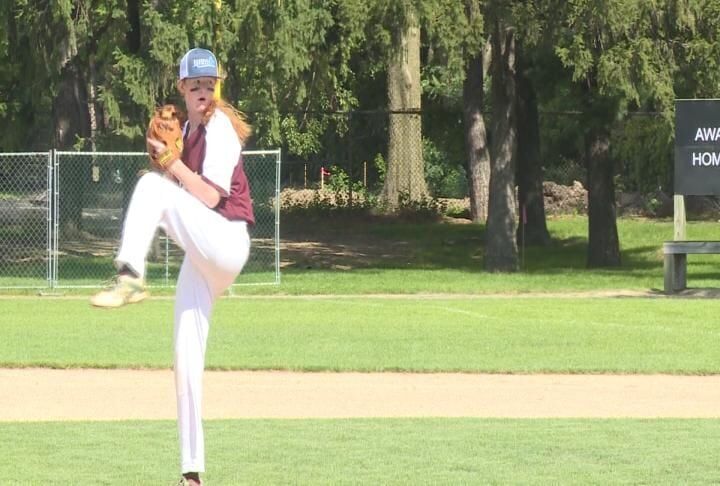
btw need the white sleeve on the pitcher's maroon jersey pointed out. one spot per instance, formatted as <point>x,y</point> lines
<point>222,151</point>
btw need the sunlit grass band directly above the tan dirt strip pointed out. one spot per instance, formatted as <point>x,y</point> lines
<point>498,335</point>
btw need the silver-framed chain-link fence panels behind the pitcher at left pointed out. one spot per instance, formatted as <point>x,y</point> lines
<point>62,215</point>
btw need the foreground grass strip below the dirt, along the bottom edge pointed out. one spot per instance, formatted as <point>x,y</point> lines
<point>384,451</point>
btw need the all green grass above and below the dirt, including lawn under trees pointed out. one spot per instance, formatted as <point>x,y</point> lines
<point>345,330</point>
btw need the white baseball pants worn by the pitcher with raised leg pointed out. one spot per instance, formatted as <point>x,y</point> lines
<point>216,250</point>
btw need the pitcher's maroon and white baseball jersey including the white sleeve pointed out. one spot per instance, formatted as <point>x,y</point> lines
<point>214,151</point>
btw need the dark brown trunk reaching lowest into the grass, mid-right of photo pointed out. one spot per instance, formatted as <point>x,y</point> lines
<point>501,253</point>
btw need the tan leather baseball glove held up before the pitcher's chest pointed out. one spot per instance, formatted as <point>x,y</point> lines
<point>165,127</point>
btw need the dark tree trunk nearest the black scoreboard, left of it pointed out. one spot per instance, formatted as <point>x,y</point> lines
<point>603,241</point>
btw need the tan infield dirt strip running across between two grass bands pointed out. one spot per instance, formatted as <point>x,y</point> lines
<point>91,394</point>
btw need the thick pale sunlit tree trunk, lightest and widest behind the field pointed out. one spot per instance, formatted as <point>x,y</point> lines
<point>405,166</point>
